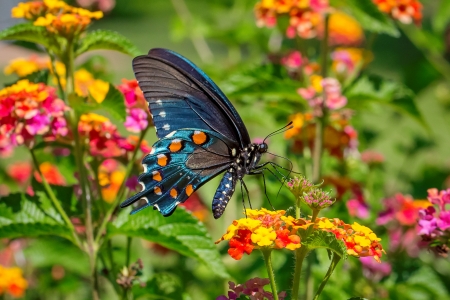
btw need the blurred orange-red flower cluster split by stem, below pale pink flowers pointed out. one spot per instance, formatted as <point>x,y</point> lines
<point>339,136</point>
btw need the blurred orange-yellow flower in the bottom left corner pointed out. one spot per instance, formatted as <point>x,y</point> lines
<point>12,281</point>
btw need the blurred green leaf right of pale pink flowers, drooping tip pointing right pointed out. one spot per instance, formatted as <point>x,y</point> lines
<point>389,93</point>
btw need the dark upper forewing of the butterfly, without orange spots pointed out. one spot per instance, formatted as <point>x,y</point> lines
<point>180,95</point>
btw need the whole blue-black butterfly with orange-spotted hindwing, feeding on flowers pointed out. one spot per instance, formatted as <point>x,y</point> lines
<point>200,134</point>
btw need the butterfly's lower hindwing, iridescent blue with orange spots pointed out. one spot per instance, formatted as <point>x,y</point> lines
<point>179,164</point>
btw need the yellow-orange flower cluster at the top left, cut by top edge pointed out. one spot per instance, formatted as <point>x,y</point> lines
<point>56,16</point>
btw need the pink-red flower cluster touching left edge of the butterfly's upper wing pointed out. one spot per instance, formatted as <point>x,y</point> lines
<point>138,117</point>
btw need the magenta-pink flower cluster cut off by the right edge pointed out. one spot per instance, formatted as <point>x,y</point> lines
<point>434,222</point>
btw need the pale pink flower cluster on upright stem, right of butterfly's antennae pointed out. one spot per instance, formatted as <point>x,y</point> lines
<point>330,90</point>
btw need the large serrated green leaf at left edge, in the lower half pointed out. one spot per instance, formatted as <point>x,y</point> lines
<point>26,216</point>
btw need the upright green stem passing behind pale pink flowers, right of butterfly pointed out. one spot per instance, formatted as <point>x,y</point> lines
<point>320,125</point>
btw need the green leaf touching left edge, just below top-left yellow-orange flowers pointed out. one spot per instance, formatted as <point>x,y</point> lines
<point>27,32</point>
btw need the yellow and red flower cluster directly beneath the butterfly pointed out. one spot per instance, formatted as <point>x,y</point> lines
<point>263,228</point>
